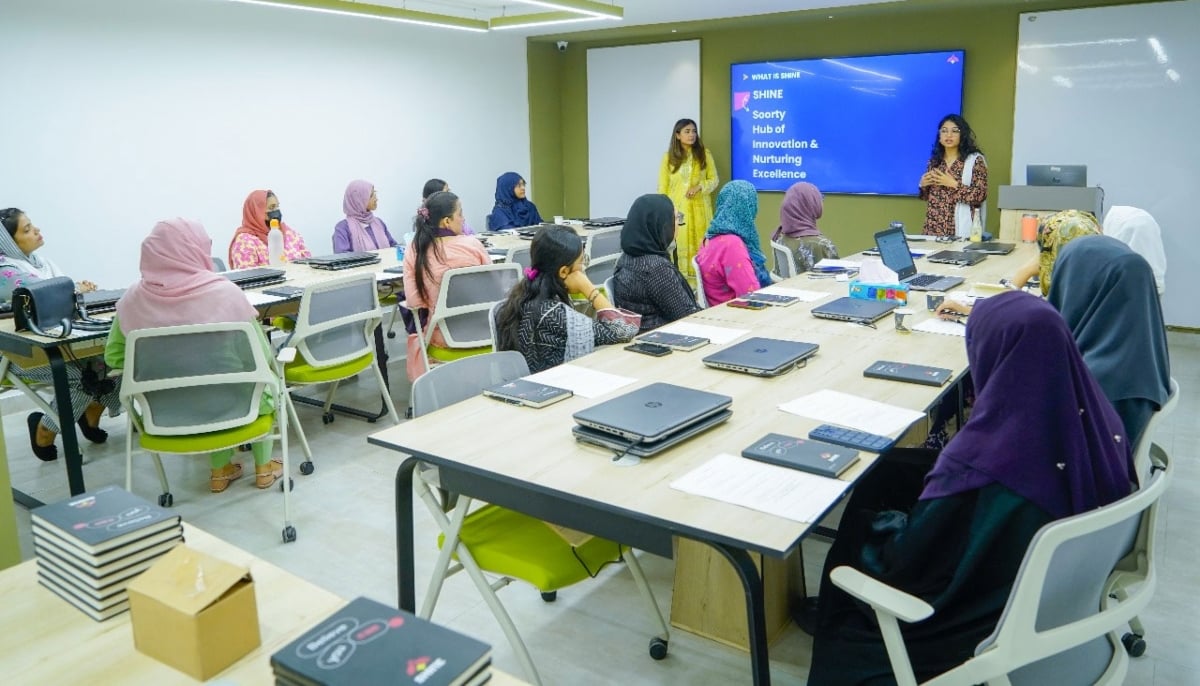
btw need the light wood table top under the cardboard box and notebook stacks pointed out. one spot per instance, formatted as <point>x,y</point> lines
<point>51,642</point>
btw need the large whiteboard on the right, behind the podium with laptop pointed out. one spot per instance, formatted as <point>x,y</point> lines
<point>1119,89</point>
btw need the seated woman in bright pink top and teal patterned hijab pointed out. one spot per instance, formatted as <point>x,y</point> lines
<point>731,261</point>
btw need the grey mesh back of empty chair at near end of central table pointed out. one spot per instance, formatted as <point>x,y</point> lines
<point>455,382</point>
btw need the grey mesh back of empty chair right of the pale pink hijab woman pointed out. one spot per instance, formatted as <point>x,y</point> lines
<point>337,321</point>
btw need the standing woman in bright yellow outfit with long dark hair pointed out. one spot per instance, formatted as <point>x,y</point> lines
<point>688,177</point>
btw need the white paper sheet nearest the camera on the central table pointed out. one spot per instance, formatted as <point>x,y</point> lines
<point>778,491</point>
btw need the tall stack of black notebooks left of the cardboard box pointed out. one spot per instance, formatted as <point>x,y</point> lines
<point>92,546</point>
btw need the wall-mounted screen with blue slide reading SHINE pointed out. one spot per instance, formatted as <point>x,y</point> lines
<point>873,118</point>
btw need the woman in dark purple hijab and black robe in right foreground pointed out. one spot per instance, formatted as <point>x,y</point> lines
<point>1042,444</point>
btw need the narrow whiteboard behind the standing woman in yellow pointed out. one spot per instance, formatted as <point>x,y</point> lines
<point>635,97</point>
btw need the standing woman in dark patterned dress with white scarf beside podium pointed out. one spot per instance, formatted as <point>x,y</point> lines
<point>956,180</point>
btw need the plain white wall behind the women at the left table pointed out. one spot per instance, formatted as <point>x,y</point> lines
<point>119,113</point>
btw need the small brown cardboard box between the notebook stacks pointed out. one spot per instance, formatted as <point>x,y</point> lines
<point>195,613</point>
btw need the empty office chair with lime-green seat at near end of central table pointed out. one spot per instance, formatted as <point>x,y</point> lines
<point>499,540</point>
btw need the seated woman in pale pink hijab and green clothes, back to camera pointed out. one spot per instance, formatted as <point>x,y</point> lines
<point>179,287</point>
